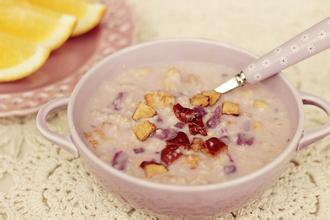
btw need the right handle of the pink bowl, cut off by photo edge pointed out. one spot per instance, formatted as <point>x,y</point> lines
<point>314,135</point>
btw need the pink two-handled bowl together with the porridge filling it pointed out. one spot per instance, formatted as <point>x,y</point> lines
<point>149,126</point>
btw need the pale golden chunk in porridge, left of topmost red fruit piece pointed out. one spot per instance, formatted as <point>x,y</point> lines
<point>159,99</point>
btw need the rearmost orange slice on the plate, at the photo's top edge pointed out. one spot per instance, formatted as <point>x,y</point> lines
<point>89,14</point>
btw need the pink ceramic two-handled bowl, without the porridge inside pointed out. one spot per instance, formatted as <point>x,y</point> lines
<point>170,199</point>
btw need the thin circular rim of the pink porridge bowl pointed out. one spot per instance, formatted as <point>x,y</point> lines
<point>89,155</point>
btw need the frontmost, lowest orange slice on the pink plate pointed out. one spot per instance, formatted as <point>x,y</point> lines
<point>18,58</point>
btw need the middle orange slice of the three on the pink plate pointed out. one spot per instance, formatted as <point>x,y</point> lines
<point>35,25</point>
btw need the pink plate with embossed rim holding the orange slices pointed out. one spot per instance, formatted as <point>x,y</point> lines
<point>66,65</point>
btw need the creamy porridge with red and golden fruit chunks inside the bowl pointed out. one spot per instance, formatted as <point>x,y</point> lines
<point>164,123</point>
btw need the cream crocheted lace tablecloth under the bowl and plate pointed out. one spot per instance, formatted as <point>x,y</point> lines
<point>40,181</point>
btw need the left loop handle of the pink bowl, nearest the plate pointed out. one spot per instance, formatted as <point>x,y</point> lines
<point>64,141</point>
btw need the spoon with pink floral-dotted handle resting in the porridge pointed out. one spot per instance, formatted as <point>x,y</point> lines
<point>302,46</point>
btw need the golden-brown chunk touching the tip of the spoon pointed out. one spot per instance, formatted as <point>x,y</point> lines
<point>206,98</point>
